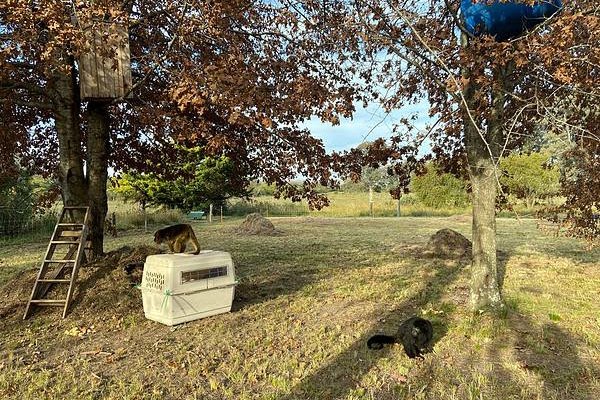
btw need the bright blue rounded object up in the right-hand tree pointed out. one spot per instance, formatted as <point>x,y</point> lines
<point>505,20</point>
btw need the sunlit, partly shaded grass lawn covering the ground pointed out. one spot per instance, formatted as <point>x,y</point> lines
<point>307,301</point>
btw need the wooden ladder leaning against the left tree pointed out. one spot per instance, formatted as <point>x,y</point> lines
<point>69,238</point>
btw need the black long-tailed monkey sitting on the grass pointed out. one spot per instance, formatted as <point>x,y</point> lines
<point>415,335</point>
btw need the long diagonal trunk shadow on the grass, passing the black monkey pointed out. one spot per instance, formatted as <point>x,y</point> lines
<point>338,378</point>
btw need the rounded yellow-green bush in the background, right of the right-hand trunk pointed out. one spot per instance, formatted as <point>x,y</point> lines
<point>529,177</point>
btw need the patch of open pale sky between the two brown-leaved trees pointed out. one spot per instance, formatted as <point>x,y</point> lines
<point>366,125</point>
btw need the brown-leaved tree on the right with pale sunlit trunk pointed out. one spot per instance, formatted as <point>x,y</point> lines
<point>485,95</point>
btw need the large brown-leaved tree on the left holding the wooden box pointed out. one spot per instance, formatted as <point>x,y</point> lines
<point>235,78</point>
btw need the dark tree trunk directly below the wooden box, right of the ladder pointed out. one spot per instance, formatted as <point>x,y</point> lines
<point>97,169</point>
